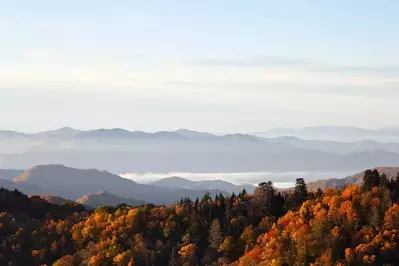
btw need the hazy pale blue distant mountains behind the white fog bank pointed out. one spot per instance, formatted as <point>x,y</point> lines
<point>119,150</point>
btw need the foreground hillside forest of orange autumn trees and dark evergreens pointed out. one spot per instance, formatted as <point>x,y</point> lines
<point>348,226</point>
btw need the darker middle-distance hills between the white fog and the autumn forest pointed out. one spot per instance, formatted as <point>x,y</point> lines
<point>59,184</point>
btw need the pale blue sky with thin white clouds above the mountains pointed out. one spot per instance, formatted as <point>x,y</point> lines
<point>221,66</point>
